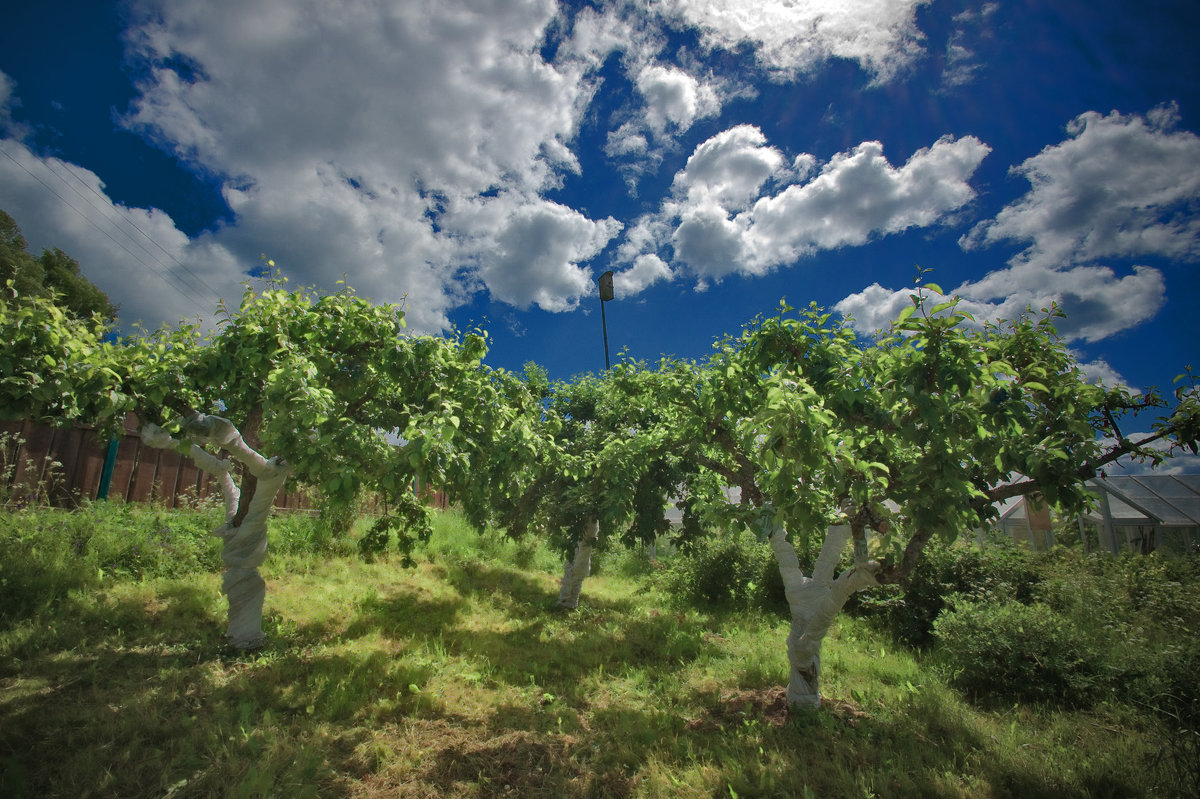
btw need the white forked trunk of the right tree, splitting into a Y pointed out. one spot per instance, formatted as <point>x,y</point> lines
<point>814,604</point>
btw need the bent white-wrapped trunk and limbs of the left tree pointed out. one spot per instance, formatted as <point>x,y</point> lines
<point>244,532</point>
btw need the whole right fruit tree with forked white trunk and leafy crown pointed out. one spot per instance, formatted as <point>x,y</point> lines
<point>865,452</point>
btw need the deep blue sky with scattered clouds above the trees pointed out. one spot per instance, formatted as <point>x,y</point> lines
<point>485,163</point>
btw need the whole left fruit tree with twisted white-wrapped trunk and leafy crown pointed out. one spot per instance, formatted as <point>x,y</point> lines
<point>328,389</point>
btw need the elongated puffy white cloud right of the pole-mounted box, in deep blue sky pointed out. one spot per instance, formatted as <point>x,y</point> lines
<point>721,223</point>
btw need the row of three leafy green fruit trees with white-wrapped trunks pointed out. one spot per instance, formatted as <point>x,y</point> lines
<point>863,452</point>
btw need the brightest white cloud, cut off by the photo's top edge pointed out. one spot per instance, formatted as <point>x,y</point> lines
<point>794,37</point>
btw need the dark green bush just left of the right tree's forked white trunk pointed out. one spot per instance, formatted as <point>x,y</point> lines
<point>734,572</point>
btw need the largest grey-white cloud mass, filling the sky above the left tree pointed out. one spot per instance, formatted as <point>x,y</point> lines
<point>363,139</point>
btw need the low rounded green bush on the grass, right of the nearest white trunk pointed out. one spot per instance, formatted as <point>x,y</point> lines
<point>1013,652</point>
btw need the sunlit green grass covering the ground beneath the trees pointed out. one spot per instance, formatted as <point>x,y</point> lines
<point>459,678</point>
